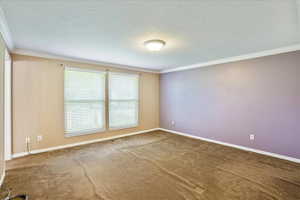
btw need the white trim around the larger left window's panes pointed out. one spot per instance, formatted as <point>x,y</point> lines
<point>87,131</point>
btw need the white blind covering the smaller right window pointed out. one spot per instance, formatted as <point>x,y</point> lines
<point>123,100</point>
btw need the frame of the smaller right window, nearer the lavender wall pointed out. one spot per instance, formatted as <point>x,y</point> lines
<point>137,101</point>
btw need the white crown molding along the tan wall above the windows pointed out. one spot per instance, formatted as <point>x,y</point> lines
<point>27,52</point>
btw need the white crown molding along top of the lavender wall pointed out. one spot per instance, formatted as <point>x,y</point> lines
<point>236,58</point>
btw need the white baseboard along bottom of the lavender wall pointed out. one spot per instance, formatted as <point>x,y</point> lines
<point>296,160</point>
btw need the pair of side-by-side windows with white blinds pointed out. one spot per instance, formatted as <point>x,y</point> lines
<point>85,105</point>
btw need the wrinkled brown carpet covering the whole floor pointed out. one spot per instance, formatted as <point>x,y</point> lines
<point>153,166</point>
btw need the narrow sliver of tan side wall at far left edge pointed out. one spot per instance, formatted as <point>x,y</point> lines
<point>2,61</point>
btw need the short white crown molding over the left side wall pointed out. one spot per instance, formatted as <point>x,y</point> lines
<point>4,30</point>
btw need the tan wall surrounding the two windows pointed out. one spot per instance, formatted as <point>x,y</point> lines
<point>38,101</point>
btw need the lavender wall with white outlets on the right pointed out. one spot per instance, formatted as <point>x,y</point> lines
<point>228,102</point>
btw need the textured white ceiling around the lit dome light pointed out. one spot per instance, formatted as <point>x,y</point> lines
<point>114,31</point>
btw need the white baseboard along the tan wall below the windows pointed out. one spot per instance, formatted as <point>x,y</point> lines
<point>17,155</point>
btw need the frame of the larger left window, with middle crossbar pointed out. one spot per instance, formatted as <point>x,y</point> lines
<point>104,101</point>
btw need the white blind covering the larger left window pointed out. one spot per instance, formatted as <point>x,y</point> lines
<point>84,101</point>
